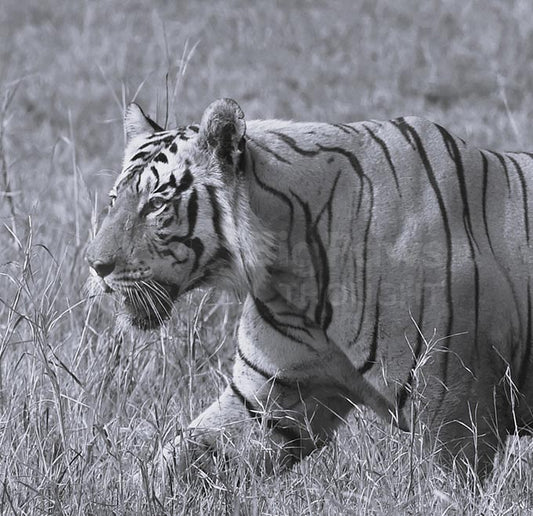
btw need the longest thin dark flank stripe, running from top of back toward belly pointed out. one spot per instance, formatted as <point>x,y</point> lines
<point>408,129</point>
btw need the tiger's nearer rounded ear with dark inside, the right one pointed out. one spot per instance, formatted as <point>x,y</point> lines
<point>222,129</point>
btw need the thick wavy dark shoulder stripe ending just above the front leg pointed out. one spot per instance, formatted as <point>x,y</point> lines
<point>319,260</point>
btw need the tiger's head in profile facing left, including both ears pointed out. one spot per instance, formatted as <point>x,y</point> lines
<point>178,215</point>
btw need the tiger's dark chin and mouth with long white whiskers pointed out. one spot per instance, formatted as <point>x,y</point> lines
<point>149,304</point>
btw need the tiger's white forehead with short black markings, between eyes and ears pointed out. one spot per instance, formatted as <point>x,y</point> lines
<point>154,160</point>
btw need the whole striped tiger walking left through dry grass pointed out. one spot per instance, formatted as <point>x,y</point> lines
<point>351,243</point>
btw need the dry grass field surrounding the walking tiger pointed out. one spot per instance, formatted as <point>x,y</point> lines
<point>82,407</point>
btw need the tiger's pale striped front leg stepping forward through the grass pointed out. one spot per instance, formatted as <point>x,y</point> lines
<point>291,388</point>
